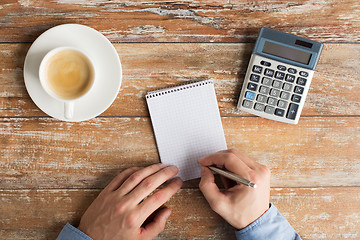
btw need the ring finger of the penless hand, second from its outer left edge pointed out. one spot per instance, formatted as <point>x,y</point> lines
<point>135,178</point>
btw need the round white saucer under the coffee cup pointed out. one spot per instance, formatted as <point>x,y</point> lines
<point>107,67</point>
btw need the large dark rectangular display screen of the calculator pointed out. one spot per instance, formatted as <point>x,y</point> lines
<point>286,52</point>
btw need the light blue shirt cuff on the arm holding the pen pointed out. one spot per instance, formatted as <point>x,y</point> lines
<point>271,225</point>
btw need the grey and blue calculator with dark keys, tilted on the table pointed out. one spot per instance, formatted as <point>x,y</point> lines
<point>279,75</point>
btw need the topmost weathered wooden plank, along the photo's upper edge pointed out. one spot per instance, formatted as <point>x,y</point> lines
<point>183,21</point>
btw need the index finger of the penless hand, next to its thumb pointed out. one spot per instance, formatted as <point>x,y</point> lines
<point>150,204</point>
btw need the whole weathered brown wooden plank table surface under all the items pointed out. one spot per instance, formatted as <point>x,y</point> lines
<point>52,170</point>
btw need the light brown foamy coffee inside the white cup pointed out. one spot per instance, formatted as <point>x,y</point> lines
<point>69,74</point>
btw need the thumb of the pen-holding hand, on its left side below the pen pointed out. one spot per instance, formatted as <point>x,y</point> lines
<point>210,190</point>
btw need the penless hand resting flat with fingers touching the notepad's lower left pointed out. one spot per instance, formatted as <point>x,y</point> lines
<point>122,207</point>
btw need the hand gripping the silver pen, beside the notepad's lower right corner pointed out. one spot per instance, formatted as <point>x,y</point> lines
<point>239,204</point>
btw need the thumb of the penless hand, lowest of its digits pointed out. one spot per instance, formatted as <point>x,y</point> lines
<point>155,227</point>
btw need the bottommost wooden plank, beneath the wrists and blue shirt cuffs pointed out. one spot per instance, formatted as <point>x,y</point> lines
<point>315,213</point>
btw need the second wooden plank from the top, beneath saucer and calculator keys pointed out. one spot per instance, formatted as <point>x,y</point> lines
<point>152,66</point>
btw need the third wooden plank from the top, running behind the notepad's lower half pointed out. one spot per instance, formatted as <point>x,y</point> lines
<point>43,153</point>
